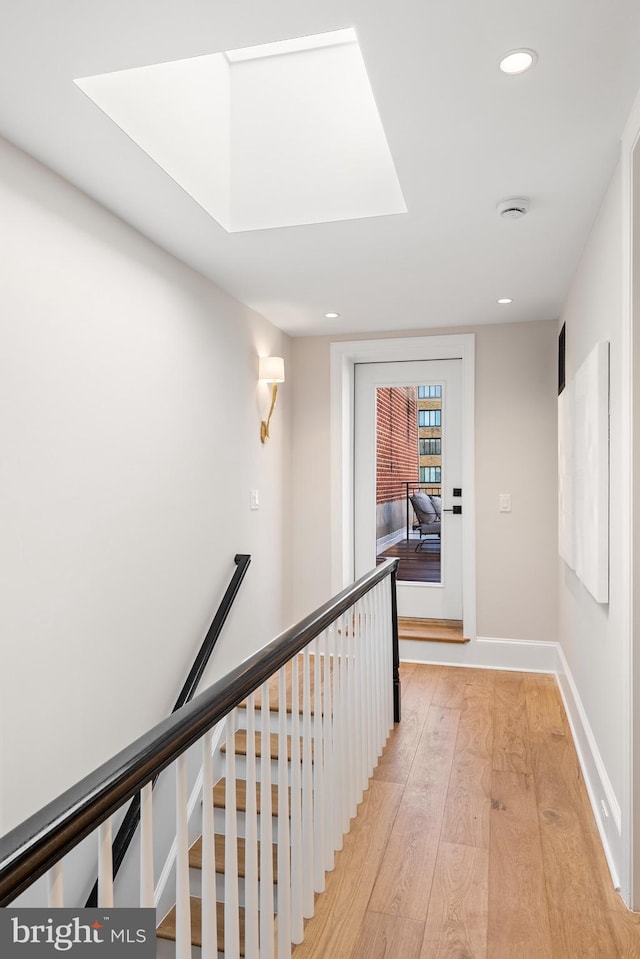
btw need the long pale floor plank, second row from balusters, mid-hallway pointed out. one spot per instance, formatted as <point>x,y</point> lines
<point>403,884</point>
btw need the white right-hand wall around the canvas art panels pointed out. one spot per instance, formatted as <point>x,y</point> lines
<point>592,635</point>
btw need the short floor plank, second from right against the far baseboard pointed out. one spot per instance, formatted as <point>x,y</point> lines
<point>511,730</point>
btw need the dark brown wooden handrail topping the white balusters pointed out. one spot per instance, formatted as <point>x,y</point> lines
<point>33,847</point>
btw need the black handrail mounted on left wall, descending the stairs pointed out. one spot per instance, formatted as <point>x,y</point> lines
<point>131,819</point>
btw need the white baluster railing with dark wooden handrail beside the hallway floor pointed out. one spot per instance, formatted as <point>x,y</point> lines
<point>321,699</point>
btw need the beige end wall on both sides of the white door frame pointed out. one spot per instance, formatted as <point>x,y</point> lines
<point>515,453</point>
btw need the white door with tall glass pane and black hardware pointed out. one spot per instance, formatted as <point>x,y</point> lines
<point>439,596</point>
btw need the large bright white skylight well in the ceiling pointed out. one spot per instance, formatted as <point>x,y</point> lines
<point>258,137</point>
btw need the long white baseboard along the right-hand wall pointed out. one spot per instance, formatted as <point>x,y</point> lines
<point>594,771</point>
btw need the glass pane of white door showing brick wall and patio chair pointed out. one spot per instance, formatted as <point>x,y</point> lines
<point>409,466</point>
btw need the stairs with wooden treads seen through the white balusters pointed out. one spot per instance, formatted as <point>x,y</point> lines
<point>244,752</point>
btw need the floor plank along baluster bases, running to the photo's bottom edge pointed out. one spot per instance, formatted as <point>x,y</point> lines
<point>340,910</point>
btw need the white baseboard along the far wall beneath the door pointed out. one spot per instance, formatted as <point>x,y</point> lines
<point>485,653</point>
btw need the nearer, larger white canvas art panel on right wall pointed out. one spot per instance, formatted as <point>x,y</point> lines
<point>591,472</point>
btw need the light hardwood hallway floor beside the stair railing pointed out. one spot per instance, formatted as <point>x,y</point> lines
<point>475,839</point>
